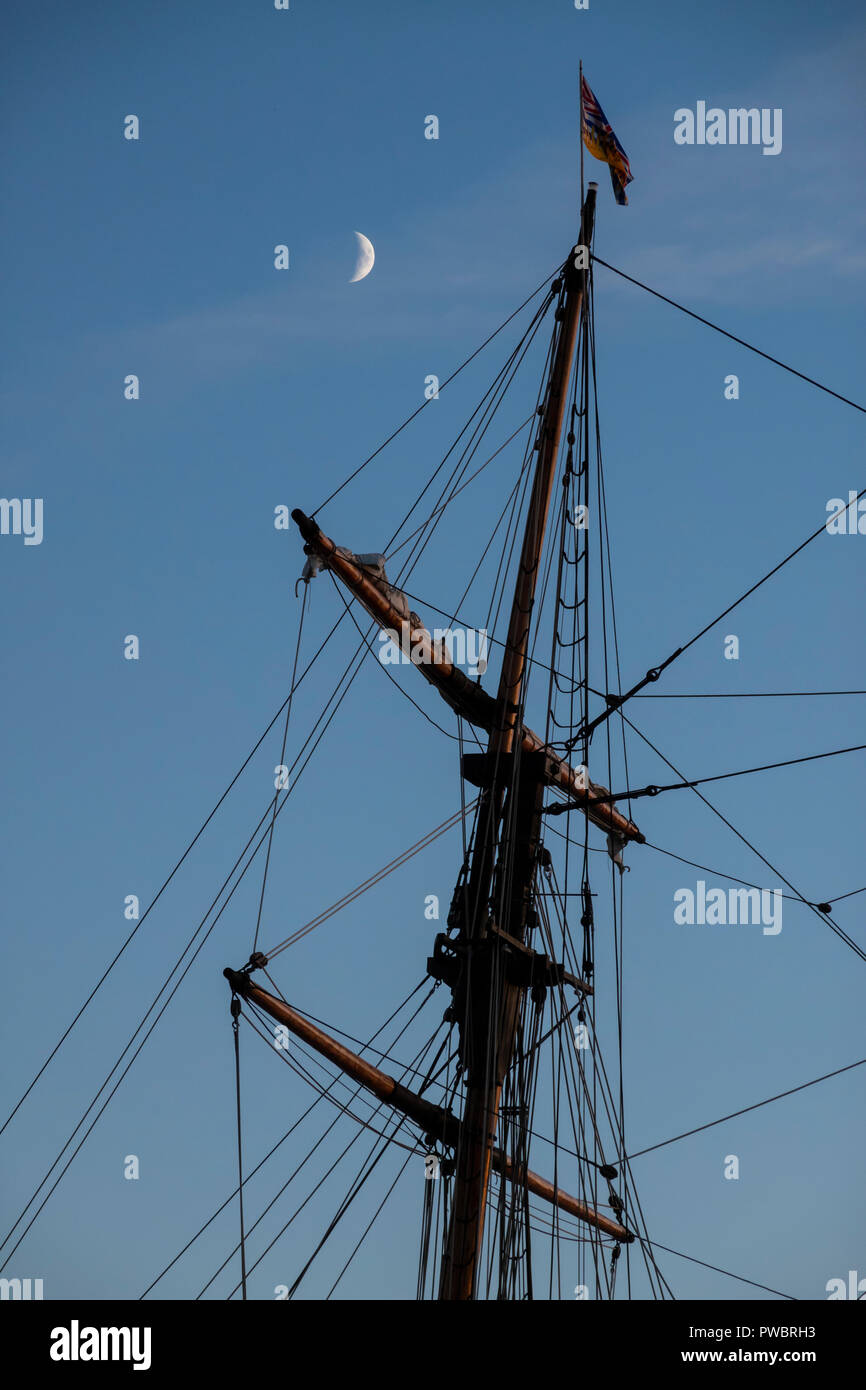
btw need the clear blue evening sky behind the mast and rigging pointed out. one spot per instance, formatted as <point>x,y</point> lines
<point>261,389</point>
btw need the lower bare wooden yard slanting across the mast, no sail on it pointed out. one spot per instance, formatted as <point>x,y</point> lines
<point>436,1121</point>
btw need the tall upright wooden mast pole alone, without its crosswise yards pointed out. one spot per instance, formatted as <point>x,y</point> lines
<point>505,856</point>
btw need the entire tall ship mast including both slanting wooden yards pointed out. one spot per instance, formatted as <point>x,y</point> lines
<point>494,958</point>
